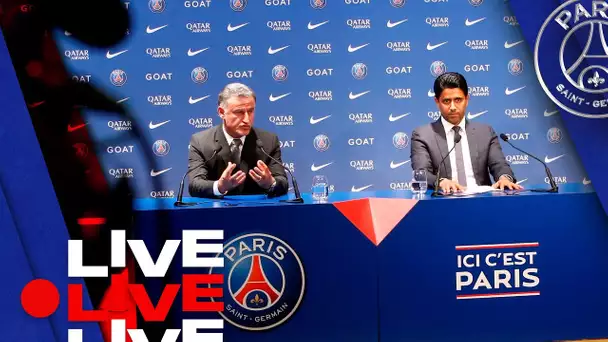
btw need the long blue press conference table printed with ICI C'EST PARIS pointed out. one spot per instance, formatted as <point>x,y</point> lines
<point>384,266</point>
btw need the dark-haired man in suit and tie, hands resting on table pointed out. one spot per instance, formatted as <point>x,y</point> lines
<point>475,157</point>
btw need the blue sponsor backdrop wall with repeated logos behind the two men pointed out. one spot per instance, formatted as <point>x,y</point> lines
<point>342,82</point>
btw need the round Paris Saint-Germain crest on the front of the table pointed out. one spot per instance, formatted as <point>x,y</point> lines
<point>264,281</point>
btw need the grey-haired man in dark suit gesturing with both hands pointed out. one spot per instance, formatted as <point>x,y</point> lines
<point>239,167</point>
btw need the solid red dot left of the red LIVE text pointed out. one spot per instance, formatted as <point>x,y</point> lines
<point>40,298</point>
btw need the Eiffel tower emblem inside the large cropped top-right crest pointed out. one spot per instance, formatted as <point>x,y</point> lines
<point>589,72</point>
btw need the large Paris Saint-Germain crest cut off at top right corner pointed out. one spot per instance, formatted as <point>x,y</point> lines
<point>570,56</point>
